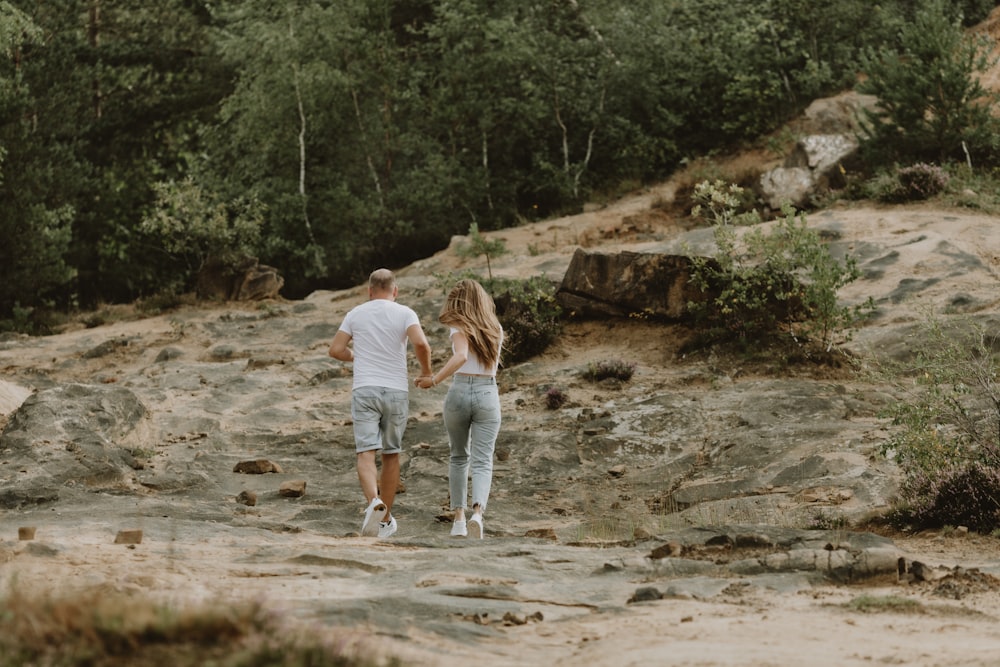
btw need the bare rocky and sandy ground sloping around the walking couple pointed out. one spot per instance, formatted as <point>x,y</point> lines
<point>664,519</point>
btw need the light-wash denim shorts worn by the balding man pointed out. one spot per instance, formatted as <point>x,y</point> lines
<point>379,416</point>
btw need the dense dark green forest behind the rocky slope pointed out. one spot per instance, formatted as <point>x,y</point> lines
<point>139,140</point>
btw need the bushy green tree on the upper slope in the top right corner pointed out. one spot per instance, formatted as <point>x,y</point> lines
<point>932,105</point>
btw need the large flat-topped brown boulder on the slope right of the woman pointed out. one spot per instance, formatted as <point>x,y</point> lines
<point>620,284</point>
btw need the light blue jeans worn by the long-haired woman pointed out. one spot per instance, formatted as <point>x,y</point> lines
<point>472,419</point>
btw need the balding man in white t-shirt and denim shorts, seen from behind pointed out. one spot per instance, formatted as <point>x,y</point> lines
<point>380,329</point>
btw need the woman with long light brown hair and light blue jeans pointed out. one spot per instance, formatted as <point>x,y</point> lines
<point>472,406</point>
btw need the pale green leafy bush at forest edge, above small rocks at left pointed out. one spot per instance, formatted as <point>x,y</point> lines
<point>190,223</point>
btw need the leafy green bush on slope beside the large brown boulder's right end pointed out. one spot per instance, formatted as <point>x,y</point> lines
<point>760,285</point>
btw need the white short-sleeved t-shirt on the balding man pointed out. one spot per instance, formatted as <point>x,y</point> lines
<point>378,328</point>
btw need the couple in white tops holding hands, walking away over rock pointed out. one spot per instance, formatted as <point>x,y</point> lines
<point>374,337</point>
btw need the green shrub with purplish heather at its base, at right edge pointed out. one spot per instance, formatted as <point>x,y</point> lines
<point>946,427</point>
